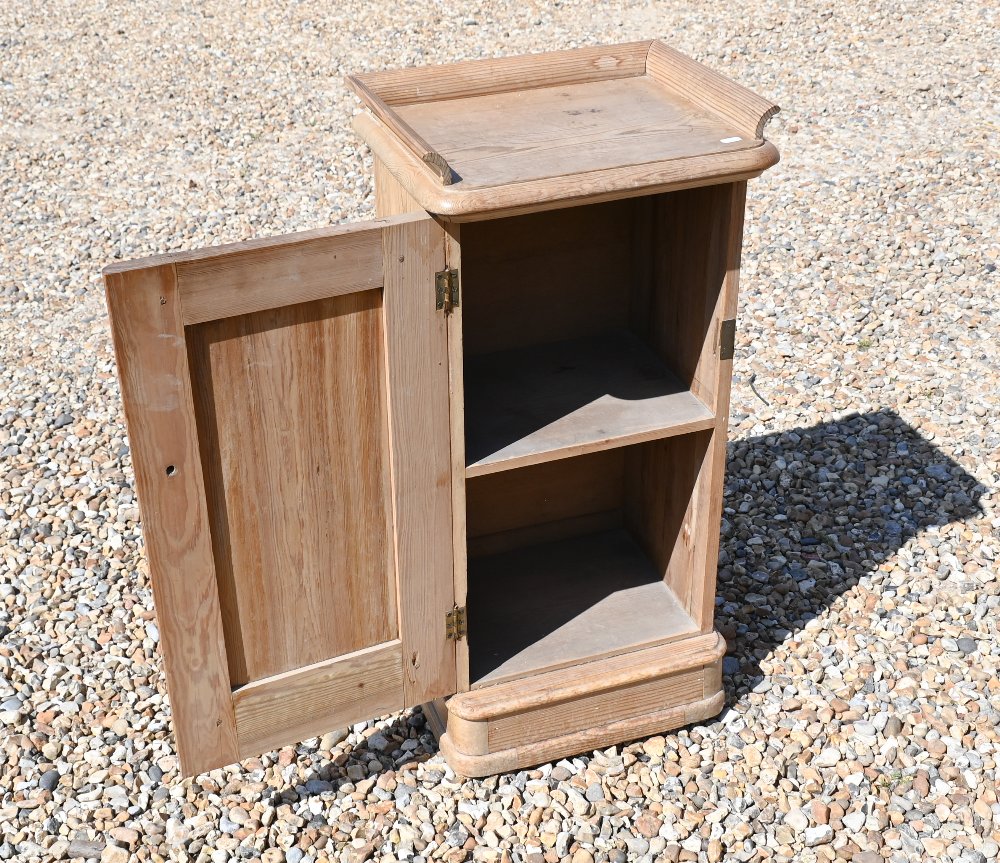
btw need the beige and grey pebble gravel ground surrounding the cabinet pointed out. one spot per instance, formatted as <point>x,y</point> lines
<point>858,579</point>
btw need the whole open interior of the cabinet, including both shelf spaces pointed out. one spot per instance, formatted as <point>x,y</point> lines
<point>591,351</point>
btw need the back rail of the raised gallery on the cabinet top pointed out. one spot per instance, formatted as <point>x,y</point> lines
<point>500,75</point>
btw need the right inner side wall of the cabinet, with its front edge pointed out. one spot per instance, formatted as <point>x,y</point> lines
<point>674,487</point>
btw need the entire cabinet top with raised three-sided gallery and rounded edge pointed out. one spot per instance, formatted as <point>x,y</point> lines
<point>487,137</point>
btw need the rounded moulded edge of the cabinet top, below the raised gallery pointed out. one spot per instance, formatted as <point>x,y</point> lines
<point>461,204</point>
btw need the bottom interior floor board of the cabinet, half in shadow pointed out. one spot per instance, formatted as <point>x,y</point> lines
<point>549,606</point>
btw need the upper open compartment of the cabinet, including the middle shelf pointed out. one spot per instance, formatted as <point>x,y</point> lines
<point>590,328</point>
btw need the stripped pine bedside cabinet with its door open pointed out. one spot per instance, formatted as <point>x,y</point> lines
<point>469,455</point>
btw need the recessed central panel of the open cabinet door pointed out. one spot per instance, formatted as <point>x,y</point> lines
<point>291,406</point>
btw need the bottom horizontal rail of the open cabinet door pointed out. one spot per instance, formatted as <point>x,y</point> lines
<point>307,702</point>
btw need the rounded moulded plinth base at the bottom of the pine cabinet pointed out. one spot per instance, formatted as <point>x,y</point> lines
<point>521,723</point>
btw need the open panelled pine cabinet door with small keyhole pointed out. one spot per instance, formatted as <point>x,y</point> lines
<point>287,408</point>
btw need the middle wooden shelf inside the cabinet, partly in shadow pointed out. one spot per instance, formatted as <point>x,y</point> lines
<point>558,400</point>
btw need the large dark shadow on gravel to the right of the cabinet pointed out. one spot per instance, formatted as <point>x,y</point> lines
<point>810,511</point>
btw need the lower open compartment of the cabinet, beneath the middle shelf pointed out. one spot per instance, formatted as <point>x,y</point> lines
<point>581,558</point>
